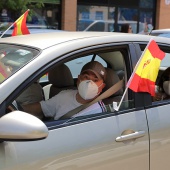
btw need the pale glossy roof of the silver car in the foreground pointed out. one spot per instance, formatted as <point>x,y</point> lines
<point>45,40</point>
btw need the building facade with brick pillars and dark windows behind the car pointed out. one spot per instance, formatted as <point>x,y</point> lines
<point>99,15</point>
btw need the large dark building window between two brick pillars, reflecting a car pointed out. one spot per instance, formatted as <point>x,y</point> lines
<point>112,14</point>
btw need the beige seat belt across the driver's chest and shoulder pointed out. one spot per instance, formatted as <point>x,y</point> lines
<point>116,87</point>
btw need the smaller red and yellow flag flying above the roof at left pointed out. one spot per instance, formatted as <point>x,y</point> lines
<point>20,27</point>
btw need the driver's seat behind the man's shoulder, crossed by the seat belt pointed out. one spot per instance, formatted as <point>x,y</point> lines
<point>111,79</point>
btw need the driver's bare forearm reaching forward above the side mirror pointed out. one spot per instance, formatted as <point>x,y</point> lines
<point>34,109</point>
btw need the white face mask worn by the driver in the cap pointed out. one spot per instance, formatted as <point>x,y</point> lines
<point>88,89</point>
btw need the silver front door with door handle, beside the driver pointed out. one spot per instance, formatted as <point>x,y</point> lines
<point>112,140</point>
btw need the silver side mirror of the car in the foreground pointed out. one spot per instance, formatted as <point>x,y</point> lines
<point>21,126</point>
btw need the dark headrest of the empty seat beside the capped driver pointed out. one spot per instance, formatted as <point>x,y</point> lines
<point>60,76</point>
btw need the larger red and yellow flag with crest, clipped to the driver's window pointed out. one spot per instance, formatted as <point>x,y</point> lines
<point>145,73</point>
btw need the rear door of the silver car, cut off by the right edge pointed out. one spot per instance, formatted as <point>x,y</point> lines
<point>159,124</point>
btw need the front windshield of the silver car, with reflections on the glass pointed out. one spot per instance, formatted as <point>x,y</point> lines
<point>12,58</point>
